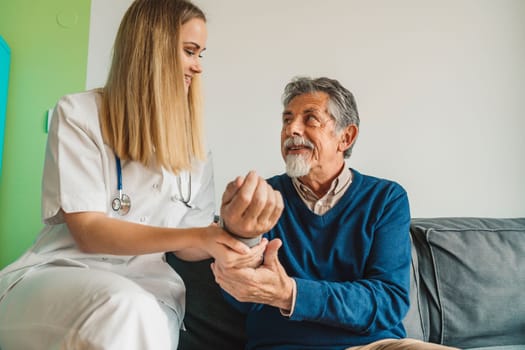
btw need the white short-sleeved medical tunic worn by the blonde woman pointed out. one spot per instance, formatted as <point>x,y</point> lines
<point>80,175</point>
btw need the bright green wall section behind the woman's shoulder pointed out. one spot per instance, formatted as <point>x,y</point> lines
<point>49,44</point>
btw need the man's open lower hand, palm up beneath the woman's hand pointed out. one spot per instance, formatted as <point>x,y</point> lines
<point>268,284</point>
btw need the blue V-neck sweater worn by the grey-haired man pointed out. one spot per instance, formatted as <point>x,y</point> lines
<point>351,266</point>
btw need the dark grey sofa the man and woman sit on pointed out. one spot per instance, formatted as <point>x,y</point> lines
<point>467,289</point>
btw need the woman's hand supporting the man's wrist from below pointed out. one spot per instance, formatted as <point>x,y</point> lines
<point>230,252</point>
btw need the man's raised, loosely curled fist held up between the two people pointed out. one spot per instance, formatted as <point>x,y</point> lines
<point>250,206</point>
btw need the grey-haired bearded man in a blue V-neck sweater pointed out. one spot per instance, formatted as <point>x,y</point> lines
<point>336,270</point>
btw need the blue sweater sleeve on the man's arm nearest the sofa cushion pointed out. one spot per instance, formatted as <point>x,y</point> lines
<point>379,299</point>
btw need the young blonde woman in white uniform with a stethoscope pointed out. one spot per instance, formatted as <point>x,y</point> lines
<point>127,178</point>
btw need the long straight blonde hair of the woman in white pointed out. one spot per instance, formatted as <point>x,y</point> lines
<point>146,115</point>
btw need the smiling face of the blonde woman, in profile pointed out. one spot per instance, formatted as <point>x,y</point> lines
<point>193,36</point>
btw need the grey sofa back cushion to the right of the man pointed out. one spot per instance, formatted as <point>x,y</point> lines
<point>471,280</point>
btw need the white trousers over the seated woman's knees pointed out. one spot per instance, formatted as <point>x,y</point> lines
<point>80,308</point>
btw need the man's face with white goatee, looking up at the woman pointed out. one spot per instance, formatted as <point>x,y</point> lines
<point>309,143</point>
